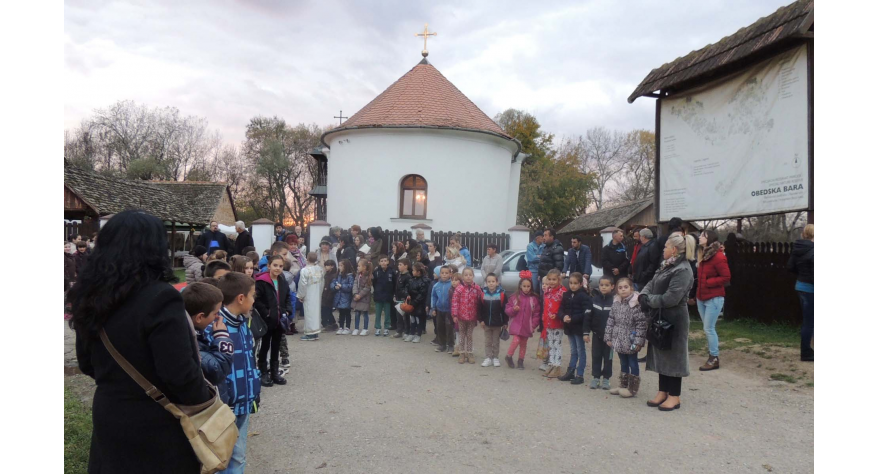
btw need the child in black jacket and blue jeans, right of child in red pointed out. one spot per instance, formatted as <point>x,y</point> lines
<point>576,305</point>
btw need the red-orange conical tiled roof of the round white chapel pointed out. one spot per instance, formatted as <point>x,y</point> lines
<point>422,98</point>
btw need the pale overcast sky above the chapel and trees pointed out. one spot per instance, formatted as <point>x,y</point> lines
<point>571,64</point>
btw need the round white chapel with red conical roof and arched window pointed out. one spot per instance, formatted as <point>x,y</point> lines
<point>420,154</point>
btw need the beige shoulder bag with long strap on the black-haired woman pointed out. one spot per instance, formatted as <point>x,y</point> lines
<point>209,427</point>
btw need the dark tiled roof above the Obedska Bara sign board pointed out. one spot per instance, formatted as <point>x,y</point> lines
<point>785,24</point>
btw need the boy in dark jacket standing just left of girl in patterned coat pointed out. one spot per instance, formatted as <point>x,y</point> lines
<point>595,322</point>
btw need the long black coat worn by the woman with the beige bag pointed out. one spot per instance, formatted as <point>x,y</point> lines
<point>132,433</point>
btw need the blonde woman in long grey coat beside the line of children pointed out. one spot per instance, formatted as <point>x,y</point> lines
<point>668,290</point>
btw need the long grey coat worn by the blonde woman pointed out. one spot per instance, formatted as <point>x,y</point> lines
<point>669,290</point>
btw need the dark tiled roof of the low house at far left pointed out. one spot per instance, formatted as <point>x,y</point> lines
<point>187,202</point>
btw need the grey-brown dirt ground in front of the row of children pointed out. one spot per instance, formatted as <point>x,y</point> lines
<point>368,404</point>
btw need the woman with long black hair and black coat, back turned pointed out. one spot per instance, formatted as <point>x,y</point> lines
<point>124,290</point>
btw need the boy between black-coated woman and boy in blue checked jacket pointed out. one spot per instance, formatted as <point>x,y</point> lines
<point>203,302</point>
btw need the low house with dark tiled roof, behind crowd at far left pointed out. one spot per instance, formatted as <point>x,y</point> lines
<point>187,205</point>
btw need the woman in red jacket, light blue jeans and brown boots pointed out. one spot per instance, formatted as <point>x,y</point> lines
<point>712,275</point>
